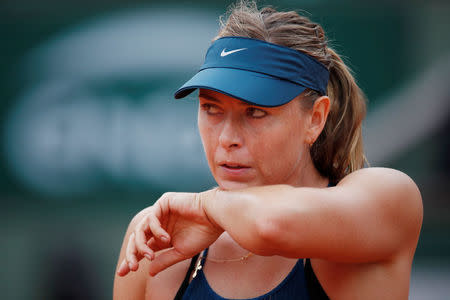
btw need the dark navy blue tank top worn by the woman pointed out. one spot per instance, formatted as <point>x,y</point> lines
<point>294,286</point>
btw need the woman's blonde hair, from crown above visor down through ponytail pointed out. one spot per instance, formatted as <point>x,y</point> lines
<point>338,150</point>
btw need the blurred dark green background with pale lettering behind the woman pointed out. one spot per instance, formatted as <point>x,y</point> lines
<point>90,133</point>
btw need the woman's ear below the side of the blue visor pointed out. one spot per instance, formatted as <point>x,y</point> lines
<point>318,118</point>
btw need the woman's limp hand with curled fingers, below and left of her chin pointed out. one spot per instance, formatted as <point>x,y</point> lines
<point>176,227</point>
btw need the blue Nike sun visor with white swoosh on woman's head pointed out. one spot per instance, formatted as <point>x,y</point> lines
<point>257,72</point>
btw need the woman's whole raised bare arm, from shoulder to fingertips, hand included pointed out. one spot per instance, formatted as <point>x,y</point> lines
<point>372,215</point>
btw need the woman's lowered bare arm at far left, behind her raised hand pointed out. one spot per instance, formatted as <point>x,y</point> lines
<point>133,285</point>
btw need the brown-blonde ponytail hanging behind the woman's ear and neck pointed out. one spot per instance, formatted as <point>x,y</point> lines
<point>338,150</point>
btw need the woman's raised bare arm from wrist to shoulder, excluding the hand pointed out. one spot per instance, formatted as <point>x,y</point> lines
<point>370,216</point>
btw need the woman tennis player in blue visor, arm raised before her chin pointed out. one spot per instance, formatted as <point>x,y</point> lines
<point>295,215</point>
